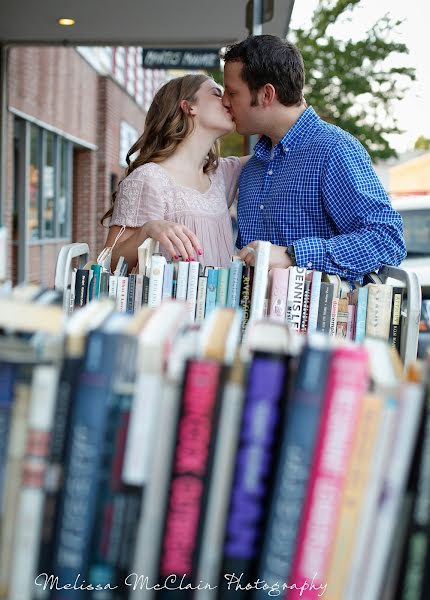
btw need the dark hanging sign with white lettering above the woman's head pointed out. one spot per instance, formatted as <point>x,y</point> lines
<point>180,58</point>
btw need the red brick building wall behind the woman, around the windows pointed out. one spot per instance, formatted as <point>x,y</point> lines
<point>59,88</point>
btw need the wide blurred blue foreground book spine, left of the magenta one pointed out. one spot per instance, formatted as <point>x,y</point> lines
<point>83,465</point>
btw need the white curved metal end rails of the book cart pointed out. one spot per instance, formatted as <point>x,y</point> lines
<point>411,311</point>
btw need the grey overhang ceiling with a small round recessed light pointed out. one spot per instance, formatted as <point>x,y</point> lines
<point>151,23</point>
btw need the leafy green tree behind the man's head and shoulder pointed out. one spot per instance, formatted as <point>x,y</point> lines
<point>348,82</point>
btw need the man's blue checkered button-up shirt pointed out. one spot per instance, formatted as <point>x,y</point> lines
<point>318,191</point>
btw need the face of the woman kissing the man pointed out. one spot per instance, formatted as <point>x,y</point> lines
<point>209,111</point>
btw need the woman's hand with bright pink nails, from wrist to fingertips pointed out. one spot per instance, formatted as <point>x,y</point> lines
<point>177,239</point>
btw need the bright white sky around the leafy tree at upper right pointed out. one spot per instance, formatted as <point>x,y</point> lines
<point>413,112</point>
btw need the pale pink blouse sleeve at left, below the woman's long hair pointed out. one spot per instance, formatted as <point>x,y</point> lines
<point>139,199</point>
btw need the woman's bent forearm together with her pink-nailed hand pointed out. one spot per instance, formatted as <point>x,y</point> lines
<point>177,239</point>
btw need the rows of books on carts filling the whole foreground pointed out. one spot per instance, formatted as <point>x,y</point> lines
<point>212,433</point>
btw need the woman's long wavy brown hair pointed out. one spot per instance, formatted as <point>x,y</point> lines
<point>166,126</point>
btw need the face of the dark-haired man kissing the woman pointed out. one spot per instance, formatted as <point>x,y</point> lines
<point>237,99</point>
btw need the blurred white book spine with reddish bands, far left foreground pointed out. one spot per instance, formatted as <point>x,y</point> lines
<point>31,501</point>
